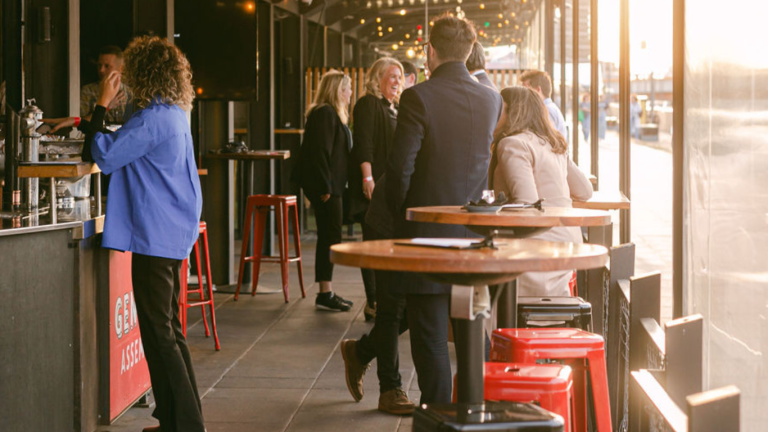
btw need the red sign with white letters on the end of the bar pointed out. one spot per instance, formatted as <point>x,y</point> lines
<point>128,373</point>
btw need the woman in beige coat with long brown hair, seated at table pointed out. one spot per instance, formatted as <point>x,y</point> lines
<point>530,162</point>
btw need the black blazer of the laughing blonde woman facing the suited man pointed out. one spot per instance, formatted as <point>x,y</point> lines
<point>373,127</point>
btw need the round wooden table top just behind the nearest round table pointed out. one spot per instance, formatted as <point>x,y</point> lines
<point>550,217</point>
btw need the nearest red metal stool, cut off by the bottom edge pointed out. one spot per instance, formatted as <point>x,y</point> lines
<point>548,385</point>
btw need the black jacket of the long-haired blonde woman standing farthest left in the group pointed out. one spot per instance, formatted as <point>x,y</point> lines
<point>324,155</point>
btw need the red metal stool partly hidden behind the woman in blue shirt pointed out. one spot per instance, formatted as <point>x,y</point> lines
<point>184,302</point>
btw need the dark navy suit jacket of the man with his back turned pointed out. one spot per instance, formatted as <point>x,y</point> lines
<point>440,155</point>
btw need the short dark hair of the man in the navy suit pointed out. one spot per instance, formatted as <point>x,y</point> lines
<point>452,38</point>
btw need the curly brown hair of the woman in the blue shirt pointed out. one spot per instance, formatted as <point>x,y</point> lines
<point>157,70</point>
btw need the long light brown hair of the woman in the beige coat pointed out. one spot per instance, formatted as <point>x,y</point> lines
<point>525,112</point>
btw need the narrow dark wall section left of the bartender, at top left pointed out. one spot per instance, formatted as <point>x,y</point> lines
<point>46,62</point>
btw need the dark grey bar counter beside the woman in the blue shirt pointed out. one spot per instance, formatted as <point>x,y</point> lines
<point>56,321</point>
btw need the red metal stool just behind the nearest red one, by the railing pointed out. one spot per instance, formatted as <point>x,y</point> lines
<point>575,346</point>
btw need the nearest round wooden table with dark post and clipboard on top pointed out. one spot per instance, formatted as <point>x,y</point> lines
<point>469,267</point>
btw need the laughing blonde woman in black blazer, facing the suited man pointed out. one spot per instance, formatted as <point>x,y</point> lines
<point>374,118</point>
